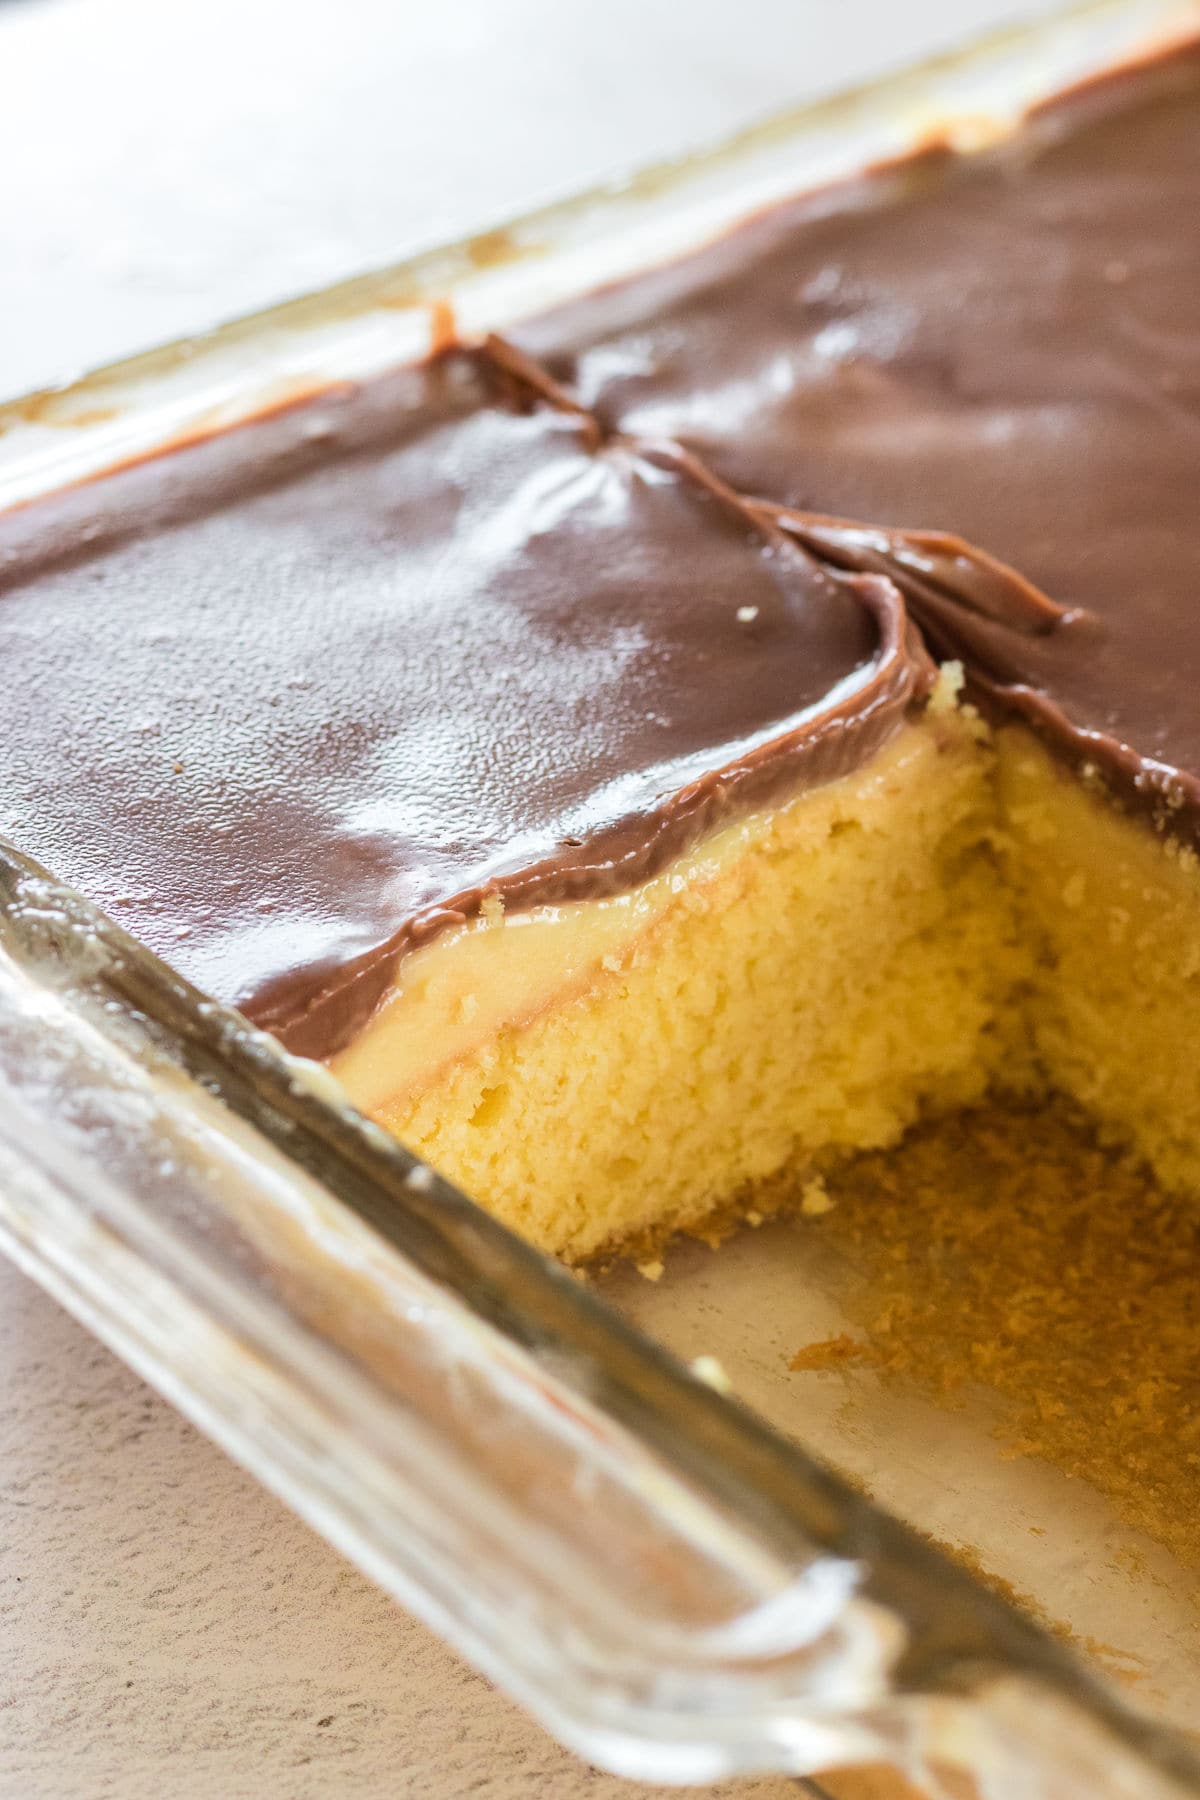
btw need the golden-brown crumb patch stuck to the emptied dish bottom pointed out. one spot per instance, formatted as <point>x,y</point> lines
<point>1012,1250</point>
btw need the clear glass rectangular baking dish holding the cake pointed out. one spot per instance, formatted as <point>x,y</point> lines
<point>677,1587</point>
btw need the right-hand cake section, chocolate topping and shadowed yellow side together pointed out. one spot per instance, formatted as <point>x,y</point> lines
<point>1005,346</point>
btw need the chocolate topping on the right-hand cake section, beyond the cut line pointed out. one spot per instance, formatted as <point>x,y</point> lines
<point>1003,346</point>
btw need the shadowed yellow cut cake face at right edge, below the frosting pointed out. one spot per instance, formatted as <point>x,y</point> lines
<point>1113,912</point>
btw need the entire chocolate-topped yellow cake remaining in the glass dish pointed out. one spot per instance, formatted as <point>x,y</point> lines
<point>749,715</point>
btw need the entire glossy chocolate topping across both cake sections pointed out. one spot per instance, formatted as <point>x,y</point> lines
<point>291,701</point>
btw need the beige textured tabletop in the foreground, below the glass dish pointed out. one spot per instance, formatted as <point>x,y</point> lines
<point>168,1632</point>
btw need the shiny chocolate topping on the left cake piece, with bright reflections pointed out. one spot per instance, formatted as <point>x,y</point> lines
<point>298,697</point>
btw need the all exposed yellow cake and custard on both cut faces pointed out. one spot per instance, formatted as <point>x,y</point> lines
<point>960,917</point>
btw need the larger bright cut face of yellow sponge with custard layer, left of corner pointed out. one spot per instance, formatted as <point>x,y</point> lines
<point>805,984</point>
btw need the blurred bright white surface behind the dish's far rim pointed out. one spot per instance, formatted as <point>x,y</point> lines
<point>174,165</point>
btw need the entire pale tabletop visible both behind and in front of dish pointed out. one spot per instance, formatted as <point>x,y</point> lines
<point>166,1630</point>
